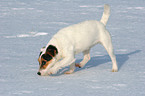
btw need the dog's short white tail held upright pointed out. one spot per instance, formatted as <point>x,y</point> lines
<point>106,14</point>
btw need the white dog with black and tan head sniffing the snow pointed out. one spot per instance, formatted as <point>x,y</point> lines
<point>61,49</point>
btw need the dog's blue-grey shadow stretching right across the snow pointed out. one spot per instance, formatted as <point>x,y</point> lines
<point>98,60</point>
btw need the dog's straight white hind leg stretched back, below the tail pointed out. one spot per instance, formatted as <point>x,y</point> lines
<point>107,43</point>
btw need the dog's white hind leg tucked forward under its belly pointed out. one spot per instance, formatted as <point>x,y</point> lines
<point>85,60</point>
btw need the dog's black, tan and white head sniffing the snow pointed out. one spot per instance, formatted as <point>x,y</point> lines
<point>46,59</point>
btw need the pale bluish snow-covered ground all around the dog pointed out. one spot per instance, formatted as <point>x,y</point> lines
<point>27,25</point>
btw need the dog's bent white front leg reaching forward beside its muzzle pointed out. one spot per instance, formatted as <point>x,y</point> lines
<point>63,63</point>
